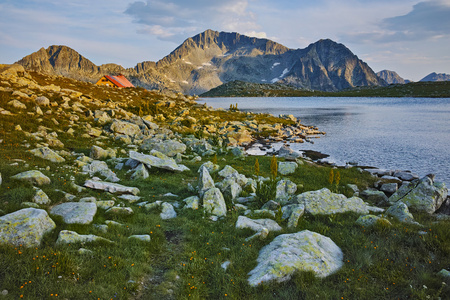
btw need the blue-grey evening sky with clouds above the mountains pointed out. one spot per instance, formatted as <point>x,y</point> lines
<point>411,37</point>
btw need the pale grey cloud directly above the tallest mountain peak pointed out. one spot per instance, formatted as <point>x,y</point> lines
<point>178,19</point>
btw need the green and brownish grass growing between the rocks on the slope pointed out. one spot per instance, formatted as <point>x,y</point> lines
<point>185,256</point>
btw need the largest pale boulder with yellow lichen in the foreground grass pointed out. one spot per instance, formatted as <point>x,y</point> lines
<point>301,251</point>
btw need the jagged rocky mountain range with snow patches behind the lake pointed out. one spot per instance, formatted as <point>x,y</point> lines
<point>212,58</point>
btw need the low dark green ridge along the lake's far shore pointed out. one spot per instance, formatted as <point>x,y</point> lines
<point>414,89</point>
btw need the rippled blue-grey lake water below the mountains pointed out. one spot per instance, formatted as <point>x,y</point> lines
<point>389,133</point>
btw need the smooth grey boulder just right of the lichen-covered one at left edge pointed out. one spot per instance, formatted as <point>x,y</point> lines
<point>75,212</point>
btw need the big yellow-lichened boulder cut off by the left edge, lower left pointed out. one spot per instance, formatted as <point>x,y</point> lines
<point>25,227</point>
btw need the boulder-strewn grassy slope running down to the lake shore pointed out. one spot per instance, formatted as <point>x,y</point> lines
<point>80,164</point>
